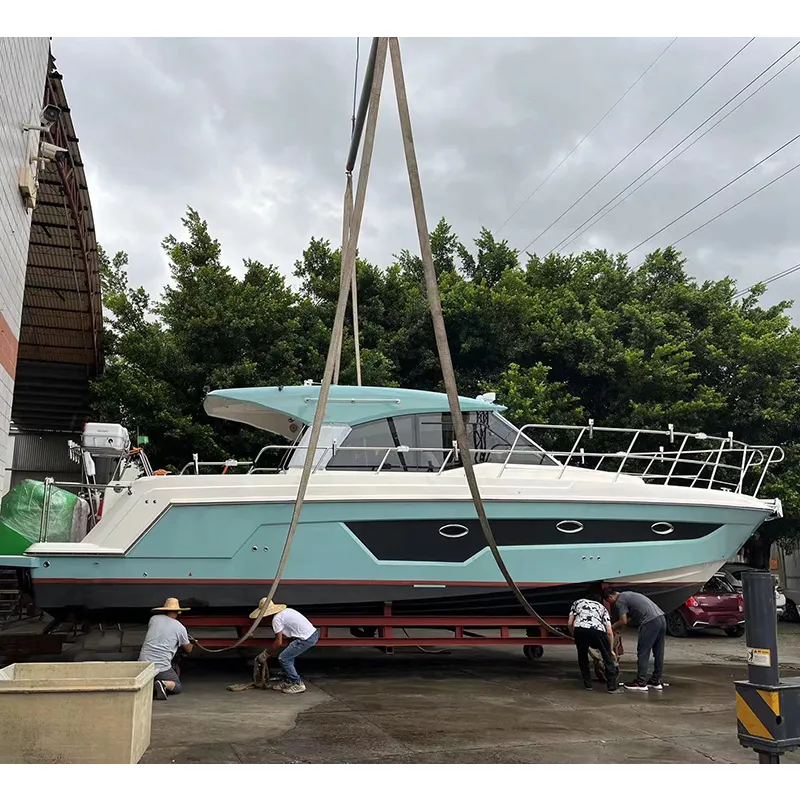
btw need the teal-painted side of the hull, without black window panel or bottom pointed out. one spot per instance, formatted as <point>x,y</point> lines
<point>245,541</point>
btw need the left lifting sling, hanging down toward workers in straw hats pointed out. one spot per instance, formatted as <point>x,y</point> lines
<point>348,264</point>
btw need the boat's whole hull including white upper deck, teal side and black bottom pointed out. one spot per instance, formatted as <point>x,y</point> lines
<point>413,541</point>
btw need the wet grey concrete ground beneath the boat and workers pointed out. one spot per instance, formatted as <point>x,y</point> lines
<point>471,706</point>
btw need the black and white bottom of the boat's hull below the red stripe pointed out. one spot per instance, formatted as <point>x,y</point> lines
<point>131,600</point>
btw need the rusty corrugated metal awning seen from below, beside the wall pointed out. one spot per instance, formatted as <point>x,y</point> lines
<point>60,341</point>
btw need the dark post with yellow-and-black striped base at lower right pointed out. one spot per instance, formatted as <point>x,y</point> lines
<point>767,709</point>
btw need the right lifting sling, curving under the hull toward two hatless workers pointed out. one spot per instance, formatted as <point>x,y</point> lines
<point>445,359</point>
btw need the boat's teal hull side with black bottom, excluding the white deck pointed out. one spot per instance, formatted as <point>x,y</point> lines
<point>424,558</point>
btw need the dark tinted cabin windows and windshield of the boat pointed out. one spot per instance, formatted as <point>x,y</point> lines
<point>429,438</point>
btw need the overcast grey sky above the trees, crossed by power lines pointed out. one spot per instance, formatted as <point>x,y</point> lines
<point>253,133</point>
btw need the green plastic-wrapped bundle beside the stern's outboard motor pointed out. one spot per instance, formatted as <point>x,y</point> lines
<point>21,517</point>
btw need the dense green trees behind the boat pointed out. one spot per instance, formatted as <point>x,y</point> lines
<point>561,339</point>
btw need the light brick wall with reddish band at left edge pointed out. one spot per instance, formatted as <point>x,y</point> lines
<point>23,70</point>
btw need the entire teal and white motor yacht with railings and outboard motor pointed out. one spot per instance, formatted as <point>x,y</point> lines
<point>388,517</point>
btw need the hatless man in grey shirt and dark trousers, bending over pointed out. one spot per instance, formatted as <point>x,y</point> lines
<point>652,633</point>
